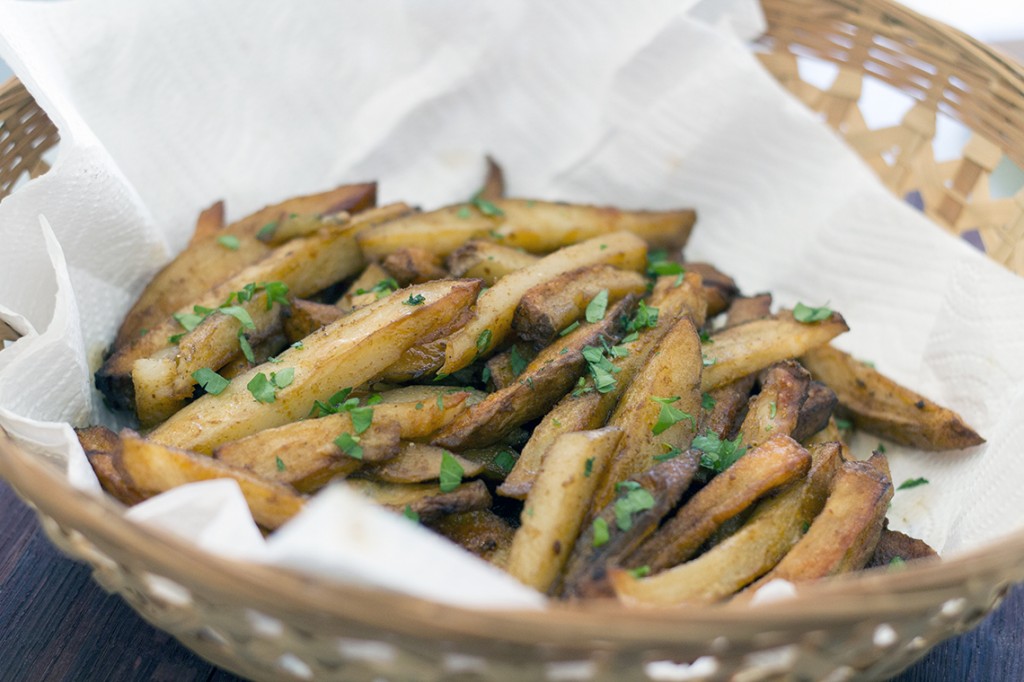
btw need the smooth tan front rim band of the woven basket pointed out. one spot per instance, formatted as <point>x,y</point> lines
<point>845,600</point>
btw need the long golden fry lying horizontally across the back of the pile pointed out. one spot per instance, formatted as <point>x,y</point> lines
<point>534,226</point>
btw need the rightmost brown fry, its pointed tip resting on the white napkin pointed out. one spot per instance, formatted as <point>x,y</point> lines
<point>880,406</point>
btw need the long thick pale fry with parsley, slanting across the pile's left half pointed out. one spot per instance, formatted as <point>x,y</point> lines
<point>348,353</point>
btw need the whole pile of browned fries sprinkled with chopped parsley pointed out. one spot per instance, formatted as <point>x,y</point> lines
<point>548,386</point>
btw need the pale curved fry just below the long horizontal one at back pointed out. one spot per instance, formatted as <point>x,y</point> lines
<point>496,308</point>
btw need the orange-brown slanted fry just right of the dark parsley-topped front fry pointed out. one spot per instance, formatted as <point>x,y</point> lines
<point>779,461</point>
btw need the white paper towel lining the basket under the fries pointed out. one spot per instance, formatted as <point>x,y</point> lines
<point>164,108</point>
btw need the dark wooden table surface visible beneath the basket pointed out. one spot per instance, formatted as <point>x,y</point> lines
<point>57,624</point>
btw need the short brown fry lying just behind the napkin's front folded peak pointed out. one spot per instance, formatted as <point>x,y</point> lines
<point>425,500</point>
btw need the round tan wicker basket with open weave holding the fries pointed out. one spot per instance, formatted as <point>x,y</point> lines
<point>270,624</point>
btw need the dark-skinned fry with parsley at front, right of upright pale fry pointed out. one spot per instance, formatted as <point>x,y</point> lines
<point>586,572</point>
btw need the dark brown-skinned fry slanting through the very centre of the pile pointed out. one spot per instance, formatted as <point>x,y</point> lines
<point>545,380</point>
